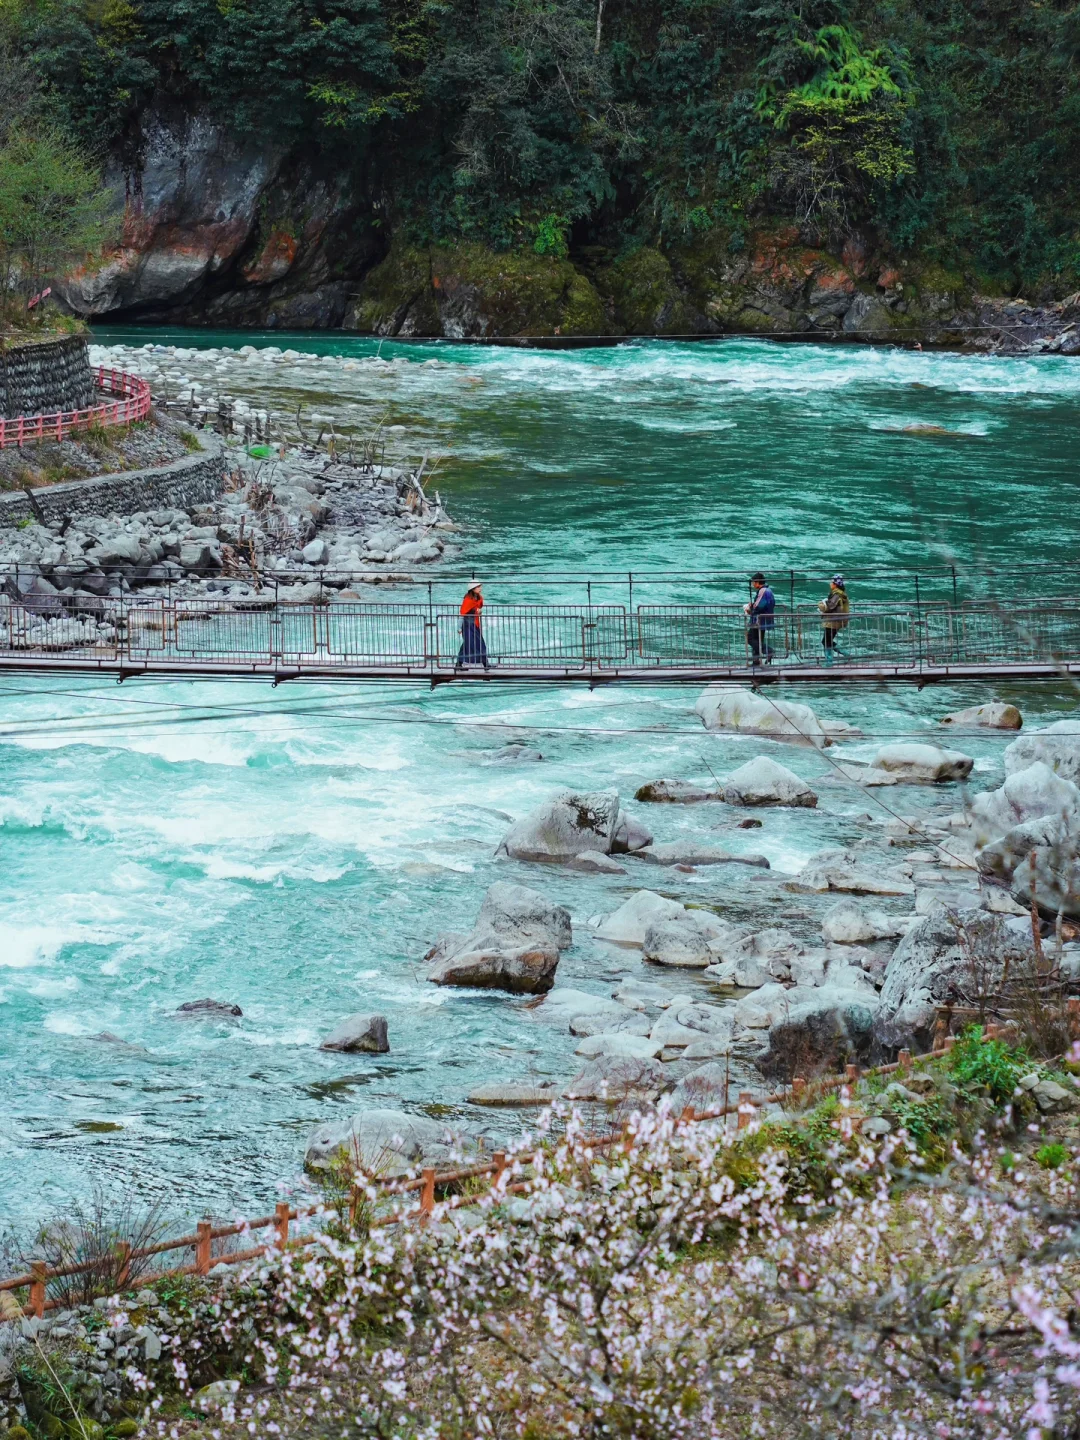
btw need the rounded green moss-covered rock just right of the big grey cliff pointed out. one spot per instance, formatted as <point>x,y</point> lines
<point>472,292</point>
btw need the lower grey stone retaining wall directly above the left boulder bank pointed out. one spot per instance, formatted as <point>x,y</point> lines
<point>179,486</point>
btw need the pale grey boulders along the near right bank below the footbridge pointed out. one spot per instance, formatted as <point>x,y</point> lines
<point>957,905</point>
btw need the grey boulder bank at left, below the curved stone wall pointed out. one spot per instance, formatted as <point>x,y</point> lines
<point>296,519</point>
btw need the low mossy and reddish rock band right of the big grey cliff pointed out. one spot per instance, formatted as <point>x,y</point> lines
<point>773,284</point>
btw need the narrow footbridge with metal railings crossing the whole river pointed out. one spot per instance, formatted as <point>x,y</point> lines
<point>595,644</point>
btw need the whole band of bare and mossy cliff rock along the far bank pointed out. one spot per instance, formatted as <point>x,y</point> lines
<point>233,231</point>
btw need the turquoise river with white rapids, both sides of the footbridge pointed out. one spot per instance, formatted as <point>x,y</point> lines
<point>299,850</point>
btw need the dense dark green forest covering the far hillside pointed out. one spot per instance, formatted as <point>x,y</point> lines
<point>945,129</point>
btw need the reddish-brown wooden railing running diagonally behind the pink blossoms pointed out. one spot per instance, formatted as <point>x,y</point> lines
<point>426,1186</point>
